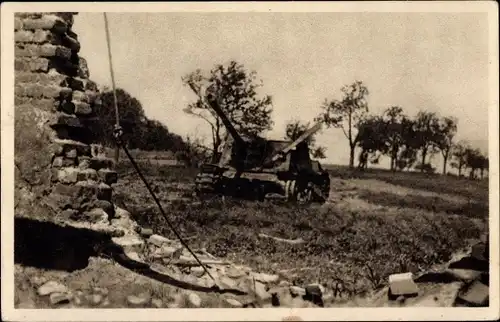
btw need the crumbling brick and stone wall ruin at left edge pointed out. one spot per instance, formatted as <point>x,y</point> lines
<point>58,177</point>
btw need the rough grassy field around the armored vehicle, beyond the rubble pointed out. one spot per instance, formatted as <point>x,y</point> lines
<point>375,223</point>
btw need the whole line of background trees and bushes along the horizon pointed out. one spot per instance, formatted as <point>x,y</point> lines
<point>408,142</point>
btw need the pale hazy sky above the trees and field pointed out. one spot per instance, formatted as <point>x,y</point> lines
<point>419,61</point>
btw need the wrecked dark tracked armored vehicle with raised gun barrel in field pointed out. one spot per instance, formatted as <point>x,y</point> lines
<point>255,167</point>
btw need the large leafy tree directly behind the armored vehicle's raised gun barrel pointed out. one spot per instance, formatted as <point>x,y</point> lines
<point>235,89</point>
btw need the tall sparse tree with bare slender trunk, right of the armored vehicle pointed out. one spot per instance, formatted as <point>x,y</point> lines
<point>347,113</point>
